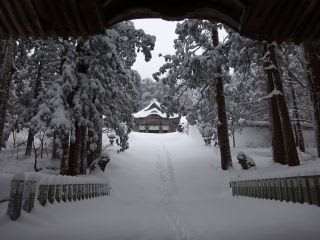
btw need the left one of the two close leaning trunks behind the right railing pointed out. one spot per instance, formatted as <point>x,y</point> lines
<point>277,141</point>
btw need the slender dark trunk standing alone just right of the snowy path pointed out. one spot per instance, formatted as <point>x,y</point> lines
<point>223,136</point>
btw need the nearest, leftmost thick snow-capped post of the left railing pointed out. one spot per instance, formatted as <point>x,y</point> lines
<point>16,193</point>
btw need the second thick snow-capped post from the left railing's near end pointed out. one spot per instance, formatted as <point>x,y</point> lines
<point>29,193</point>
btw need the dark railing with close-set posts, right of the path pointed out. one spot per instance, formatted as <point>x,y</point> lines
<point>300,189</point>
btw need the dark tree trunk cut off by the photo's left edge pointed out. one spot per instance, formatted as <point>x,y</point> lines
<point>6,68</point>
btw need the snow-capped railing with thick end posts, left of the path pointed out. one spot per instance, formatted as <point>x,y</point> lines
<point>25,188</point>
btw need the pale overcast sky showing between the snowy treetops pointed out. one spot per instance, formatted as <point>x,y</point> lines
<point>165,34</point>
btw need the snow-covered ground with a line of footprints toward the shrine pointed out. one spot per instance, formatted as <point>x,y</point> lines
<point>170,186</point>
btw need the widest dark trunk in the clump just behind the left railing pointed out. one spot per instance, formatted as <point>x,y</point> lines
<point>75,153</point>
